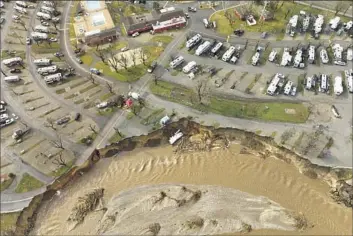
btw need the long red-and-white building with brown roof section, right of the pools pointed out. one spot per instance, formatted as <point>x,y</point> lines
<point>157,21</point>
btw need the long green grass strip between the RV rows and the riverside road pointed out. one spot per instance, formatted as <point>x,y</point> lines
<point>268,111</point>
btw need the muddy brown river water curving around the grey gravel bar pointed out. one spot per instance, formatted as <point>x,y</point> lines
<point>279,181</point>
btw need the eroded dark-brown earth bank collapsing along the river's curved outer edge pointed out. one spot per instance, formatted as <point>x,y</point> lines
<point>261,146</point>
